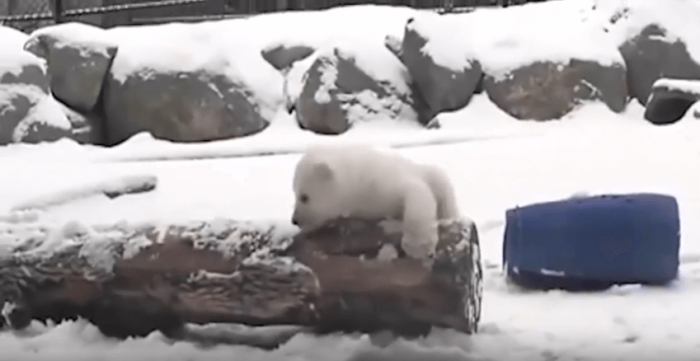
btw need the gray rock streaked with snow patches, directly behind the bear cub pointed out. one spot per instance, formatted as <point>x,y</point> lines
<point>336,93</point>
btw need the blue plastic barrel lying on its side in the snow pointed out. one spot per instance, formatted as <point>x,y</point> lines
<point>593,242</point>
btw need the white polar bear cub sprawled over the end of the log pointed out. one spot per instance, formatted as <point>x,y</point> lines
<point>369,182</point>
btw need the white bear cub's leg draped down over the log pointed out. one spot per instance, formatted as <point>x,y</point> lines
<point>420,232</point>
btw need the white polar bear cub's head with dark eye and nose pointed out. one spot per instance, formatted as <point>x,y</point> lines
<point>318,195</point>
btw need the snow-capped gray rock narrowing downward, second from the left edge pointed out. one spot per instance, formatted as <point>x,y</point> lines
<point>78,58</point>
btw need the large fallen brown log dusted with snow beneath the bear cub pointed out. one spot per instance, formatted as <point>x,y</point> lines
<point>132,280</point>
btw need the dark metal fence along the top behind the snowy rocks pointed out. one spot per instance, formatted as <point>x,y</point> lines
<point>28,15</point>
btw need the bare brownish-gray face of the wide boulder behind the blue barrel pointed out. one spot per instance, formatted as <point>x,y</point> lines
<point>547,90</point>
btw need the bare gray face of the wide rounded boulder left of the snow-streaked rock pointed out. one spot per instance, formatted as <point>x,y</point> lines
<point>192,106</point>
